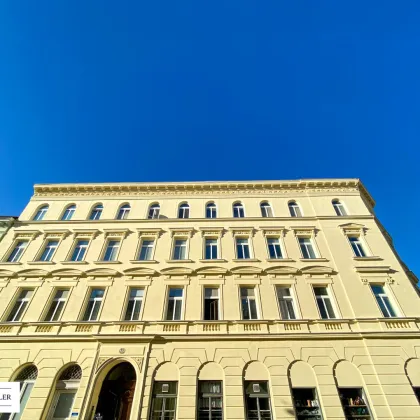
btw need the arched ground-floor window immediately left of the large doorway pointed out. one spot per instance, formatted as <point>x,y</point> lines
<point>65,392</point>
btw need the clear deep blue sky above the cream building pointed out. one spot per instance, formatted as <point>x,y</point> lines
<point>98,91</point>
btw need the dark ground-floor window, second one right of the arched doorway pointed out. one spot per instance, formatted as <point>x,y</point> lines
<point>210,400</point>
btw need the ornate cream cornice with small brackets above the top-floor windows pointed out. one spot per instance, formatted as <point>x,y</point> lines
<point>204,188</point>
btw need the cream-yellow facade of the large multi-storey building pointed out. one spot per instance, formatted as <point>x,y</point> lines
<point>356,347</point>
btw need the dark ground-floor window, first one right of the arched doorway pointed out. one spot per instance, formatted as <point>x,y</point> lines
<point>164,400</point>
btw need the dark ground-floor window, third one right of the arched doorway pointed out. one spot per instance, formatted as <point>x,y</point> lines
<point>257,400</point>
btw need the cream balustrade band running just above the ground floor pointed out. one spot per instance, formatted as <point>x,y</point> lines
<point>202,328</point>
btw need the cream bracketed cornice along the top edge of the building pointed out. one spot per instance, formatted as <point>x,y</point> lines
<point>145,187</point>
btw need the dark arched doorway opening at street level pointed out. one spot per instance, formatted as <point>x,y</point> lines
<point>116,396</point>
